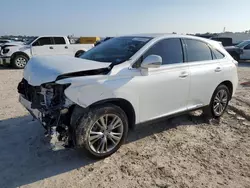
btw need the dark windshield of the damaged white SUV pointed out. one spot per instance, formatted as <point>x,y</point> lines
<point>116,50</point>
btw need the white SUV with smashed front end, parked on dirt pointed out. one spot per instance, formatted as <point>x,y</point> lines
<point>93,100</point>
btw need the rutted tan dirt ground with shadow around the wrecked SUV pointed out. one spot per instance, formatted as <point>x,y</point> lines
<point>179,152</point>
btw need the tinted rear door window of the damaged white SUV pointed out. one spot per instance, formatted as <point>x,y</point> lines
<point>197,51</point>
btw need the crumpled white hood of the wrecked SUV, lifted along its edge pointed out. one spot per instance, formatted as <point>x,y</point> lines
<point>46,69</point>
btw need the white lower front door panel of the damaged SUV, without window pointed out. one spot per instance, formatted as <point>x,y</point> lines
<point>164,91</point>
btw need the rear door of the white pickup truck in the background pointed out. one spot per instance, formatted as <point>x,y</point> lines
<point>60,46</point>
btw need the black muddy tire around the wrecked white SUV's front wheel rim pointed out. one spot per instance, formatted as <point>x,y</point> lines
<point>88,123</point>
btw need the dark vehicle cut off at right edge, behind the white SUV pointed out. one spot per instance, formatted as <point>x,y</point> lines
<point>240,51</point>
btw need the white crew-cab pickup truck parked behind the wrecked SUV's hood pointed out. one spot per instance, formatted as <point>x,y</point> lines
<point>18,55</point>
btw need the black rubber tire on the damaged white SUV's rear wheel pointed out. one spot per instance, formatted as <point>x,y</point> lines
<point>211,110</point>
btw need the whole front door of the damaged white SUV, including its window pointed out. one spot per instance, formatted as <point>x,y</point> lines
<point>164,90</point>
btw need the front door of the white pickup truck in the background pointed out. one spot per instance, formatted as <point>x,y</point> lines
<point>43,46</point>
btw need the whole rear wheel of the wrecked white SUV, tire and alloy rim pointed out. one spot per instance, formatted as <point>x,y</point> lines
<point>219,102</point>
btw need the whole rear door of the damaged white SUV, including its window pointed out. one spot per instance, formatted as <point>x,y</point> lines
<point>204,70</point>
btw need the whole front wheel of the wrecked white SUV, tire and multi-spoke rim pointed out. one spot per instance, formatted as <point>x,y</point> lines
<point>103,130</point>
